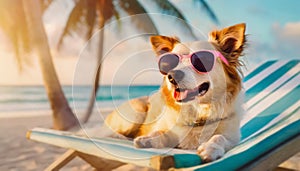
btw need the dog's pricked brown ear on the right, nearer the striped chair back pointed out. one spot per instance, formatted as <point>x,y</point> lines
<point>230,39</point>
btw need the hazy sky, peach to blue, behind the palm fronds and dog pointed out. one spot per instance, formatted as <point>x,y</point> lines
<point>273,29</point>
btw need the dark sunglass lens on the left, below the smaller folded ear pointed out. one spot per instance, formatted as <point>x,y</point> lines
<point>167,63</point>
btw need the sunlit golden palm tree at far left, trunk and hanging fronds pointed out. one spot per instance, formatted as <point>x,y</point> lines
<point>22,22</point>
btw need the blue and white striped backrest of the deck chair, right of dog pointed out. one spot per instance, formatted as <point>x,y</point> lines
<point>269,93</point>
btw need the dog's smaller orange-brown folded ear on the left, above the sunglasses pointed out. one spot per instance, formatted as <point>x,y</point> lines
<point>163,44</point>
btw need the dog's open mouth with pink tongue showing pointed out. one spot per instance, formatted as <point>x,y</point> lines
<point>184,95</point>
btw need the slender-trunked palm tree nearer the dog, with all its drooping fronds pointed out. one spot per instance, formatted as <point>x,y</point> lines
<point>86,12</point>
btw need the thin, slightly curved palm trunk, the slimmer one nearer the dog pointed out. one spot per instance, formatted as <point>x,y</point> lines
<point>95,88</point>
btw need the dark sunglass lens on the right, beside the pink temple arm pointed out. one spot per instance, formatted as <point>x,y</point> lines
<point>203,61</point>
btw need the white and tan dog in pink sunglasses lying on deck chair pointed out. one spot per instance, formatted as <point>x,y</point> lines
<point>199,104</point>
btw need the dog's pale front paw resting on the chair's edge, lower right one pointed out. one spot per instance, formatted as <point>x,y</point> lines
<point>210,151</point>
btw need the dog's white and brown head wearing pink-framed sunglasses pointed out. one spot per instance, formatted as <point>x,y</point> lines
<point>201,71</point>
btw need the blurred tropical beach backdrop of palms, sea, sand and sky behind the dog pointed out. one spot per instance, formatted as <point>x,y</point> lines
<point>61,61</point>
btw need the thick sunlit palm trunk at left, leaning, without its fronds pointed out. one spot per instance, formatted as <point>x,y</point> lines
<point>63,117</point>
